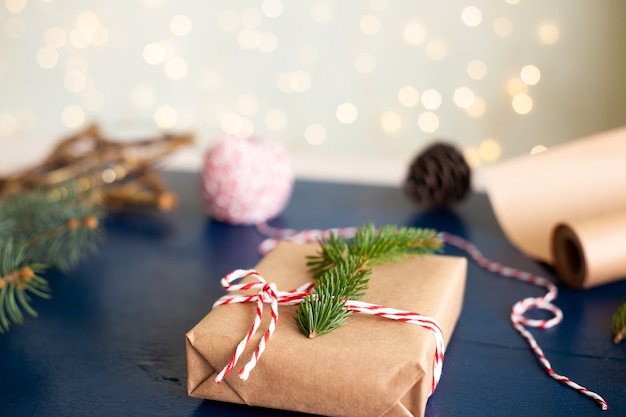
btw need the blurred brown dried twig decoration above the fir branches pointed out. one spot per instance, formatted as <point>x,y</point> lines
<point>123,174</point>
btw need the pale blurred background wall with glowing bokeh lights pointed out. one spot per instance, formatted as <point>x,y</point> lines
<point>353,88</point>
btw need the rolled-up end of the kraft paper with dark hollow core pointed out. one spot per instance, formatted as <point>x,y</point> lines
<point>591,252</point>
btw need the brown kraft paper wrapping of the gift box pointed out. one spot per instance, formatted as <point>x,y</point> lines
<point>370,367</point>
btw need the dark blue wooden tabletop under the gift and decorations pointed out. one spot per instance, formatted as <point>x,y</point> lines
<point>111,341</point>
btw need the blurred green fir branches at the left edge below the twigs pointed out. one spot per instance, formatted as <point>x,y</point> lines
<point>41,229</point>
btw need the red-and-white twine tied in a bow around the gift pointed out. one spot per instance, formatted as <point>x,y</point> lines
<point>267,293</point>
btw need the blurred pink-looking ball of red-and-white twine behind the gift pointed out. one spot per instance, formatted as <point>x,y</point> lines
<point>246,181</point>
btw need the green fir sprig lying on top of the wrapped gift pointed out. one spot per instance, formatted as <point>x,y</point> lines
<point>342,268</point>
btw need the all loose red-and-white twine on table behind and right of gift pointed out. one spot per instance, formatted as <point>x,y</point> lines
<point>518,311</point>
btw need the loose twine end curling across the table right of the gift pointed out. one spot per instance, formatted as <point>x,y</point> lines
<point>523,306</point>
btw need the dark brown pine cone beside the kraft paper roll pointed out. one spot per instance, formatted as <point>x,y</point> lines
<point>438,177</point>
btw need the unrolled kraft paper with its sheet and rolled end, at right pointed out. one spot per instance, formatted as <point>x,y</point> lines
<point>566,206</point>
